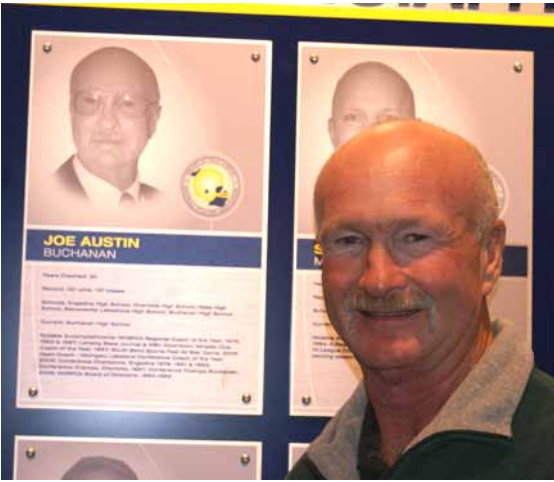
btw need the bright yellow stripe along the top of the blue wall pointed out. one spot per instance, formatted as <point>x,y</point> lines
<point>369,13</point>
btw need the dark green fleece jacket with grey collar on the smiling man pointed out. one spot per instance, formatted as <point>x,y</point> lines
<point>498,424</point>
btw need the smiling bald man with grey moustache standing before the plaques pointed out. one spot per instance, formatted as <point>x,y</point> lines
<point>406,214</point>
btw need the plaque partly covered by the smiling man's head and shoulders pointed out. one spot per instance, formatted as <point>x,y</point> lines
<point>343,89</point>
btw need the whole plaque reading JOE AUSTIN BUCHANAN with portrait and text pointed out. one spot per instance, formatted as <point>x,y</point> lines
<point>144,261</point>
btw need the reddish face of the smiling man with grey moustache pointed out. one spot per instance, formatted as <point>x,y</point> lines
<point>403,275</point>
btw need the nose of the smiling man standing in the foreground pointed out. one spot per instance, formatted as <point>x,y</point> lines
<point>381,274</point>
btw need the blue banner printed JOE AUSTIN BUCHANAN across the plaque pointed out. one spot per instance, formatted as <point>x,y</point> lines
<point>138,248</point>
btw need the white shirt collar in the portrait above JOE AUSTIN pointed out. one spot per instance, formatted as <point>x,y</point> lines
<point>101,193</point>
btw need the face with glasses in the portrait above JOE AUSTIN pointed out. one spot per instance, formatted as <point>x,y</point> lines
<point>114,111</point>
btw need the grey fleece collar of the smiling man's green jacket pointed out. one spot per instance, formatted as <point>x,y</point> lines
<point>484,402</point>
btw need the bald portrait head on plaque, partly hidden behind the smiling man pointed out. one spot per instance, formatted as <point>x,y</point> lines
<point>367,93</point>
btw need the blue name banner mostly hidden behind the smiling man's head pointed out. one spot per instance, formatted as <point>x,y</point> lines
<point>515,258</point>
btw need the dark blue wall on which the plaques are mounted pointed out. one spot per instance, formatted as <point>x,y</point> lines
<point>275,428</point>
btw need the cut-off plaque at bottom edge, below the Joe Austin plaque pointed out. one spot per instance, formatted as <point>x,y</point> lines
<point>69,458</point>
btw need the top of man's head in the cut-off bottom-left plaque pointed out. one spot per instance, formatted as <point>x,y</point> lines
<point>100,468</point>
